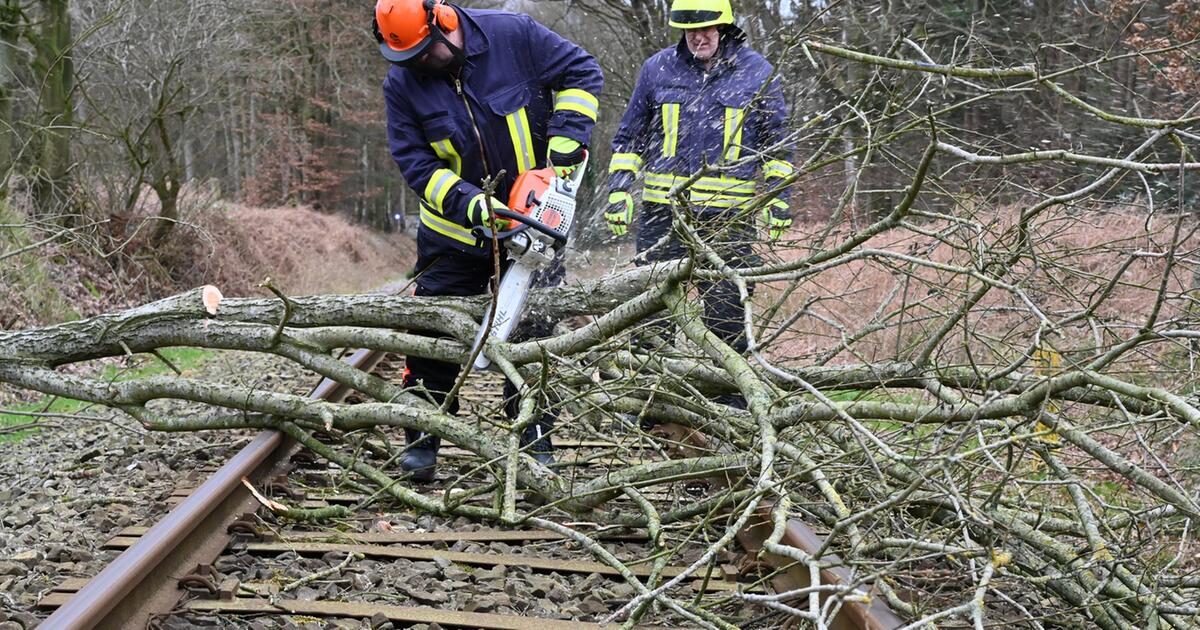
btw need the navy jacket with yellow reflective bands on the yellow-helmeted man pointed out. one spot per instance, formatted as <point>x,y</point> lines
<point>683,117</point>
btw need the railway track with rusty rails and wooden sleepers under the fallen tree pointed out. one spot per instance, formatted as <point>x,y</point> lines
<point>221,560</point>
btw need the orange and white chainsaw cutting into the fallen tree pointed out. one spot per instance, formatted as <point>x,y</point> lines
<point>542,211</point>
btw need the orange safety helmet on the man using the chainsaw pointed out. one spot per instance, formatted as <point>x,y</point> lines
<point>405,28</point>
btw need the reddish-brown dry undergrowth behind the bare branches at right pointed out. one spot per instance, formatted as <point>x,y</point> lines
<point>1076,256</point>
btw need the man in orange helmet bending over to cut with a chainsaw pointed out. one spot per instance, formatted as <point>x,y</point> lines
<point>471,94</point>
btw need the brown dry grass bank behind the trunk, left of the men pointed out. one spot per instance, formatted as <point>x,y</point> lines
<point>233,248</point>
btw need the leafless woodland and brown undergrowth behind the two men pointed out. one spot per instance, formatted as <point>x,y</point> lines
<point>135,135</point>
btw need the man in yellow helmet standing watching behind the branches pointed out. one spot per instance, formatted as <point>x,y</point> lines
<point>707,101</point>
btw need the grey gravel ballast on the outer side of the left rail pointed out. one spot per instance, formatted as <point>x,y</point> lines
<point>67,490</point>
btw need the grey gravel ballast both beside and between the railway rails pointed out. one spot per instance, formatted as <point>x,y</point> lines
<point>67,491</point>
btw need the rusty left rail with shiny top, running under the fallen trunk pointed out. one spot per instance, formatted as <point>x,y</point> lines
<point>143,580</point>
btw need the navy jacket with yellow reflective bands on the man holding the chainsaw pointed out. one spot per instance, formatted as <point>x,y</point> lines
<point>521,85</point>
